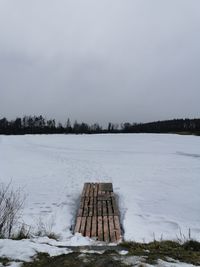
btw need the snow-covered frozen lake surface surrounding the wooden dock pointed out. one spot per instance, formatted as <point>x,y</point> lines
<point>156,178</point>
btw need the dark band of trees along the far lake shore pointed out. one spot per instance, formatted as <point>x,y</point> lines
<point>41,125</point>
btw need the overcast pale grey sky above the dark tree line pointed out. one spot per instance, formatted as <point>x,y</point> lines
<point>127,60</point>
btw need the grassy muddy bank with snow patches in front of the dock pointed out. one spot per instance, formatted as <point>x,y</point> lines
<point>138,254</point>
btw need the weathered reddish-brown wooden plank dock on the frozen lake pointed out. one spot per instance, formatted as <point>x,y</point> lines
<point>98,214</point>
